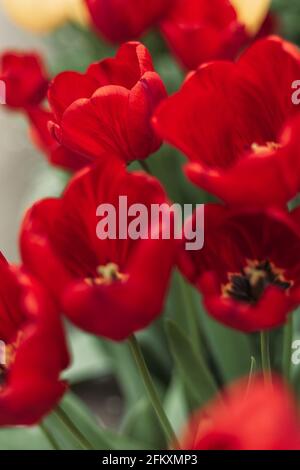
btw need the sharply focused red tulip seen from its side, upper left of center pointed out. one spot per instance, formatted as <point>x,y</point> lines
<point>107,111</point>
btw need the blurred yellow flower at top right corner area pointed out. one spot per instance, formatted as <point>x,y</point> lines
<point>252,13</point>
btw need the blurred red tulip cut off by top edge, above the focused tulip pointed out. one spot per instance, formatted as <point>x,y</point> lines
<point>122,20</point>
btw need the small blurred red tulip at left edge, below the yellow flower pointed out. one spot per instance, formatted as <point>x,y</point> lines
<point>25,78</point>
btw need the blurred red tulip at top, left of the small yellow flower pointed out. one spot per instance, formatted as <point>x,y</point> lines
<point>199,31</point>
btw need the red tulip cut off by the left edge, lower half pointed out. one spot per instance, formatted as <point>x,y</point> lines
<point>35,350</point>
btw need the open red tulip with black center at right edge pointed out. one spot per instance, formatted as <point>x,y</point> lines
<point>249,269</point>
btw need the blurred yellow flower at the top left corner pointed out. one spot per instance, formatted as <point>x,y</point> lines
<point>44,15</point>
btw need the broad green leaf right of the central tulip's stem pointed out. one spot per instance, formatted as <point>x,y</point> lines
<point>191,366</point>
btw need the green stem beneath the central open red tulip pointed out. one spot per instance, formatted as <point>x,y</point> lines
<point>153,396</point>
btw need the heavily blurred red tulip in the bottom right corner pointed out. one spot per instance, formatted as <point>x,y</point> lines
<point>264,418</point>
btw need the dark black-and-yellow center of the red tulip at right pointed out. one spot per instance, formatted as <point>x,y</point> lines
<point>249,285</point>
